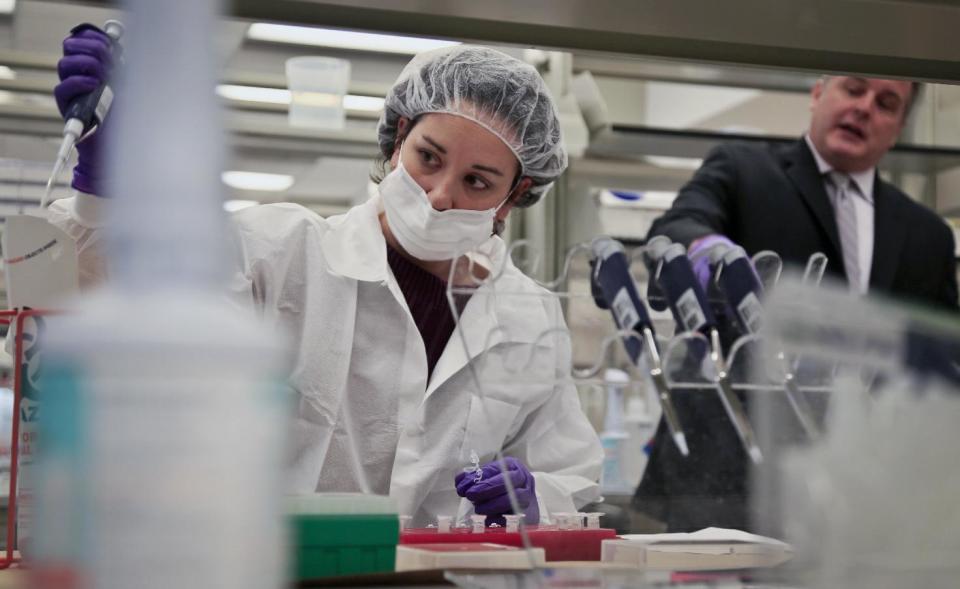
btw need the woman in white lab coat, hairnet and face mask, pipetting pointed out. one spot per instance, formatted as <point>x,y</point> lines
<point>392,397</point>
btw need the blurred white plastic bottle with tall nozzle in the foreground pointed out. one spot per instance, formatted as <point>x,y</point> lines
<point>160,459</point>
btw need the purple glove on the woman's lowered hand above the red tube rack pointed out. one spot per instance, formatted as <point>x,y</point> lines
<point>489,496</point>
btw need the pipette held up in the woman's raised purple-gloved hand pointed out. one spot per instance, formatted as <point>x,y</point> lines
<point>86,112</point>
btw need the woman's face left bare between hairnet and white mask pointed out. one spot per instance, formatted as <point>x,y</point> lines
<point>458,163</point>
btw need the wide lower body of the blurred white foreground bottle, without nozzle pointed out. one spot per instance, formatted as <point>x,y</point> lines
<point>162,462</point>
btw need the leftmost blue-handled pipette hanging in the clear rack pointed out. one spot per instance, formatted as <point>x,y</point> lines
<point>613,288</point>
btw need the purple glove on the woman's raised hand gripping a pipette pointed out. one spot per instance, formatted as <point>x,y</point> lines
<point>87,61</point>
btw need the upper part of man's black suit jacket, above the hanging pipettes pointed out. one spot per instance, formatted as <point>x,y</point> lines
<point>772,197</point>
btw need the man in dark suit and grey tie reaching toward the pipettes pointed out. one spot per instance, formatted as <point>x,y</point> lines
<point>820,194</point>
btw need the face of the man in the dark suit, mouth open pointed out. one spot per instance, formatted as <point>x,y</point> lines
<point>856,120</point>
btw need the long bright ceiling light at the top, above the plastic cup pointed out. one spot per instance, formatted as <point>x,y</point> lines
<point>344,39</point>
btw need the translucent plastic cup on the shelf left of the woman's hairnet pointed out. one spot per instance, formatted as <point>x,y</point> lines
<point>317,86</point>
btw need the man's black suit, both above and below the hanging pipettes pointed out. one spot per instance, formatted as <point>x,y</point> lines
<point>773,198</point>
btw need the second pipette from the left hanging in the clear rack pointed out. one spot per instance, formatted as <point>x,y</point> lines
<point>670,268</point>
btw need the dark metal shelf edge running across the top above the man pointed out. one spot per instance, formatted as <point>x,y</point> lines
<point>878,37</point>
